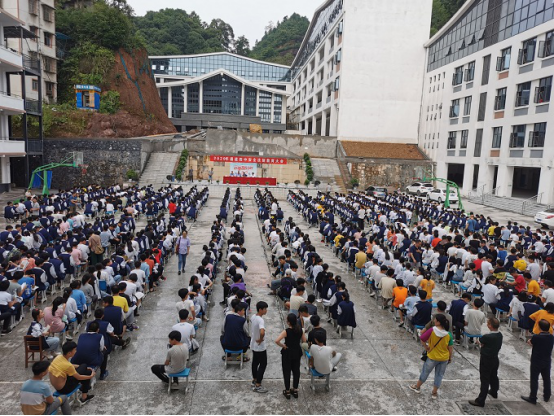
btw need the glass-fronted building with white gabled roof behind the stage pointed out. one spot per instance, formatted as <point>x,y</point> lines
<point>222,90</point>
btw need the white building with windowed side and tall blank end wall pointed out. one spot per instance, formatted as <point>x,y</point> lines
<point>358,73</point>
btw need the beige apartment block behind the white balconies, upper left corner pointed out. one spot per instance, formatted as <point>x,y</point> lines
<point>39,17</point>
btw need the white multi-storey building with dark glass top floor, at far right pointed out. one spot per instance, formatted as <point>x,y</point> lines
<point>486,117</point>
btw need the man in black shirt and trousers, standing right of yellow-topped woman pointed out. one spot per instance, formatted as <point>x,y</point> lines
<point>491,345</point>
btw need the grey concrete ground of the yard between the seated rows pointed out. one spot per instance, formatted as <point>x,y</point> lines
<point>378,365</point>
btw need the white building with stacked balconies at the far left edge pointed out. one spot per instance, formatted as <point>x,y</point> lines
<point>10,103</point>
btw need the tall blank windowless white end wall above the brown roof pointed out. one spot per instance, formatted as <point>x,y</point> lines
<point>382,70</point>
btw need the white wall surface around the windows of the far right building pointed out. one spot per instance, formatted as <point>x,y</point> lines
<point>516,75</point>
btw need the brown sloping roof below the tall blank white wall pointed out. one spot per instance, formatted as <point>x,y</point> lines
<point>383,151</point>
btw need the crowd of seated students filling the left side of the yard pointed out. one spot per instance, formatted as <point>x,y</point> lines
<point>62,258</point>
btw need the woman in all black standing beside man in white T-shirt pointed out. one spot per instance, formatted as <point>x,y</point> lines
<point>291,353</point>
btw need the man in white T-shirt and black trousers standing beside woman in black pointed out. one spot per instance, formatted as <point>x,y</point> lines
<point>259,349</point>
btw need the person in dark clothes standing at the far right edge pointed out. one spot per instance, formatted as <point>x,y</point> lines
<point>541,362</point>
